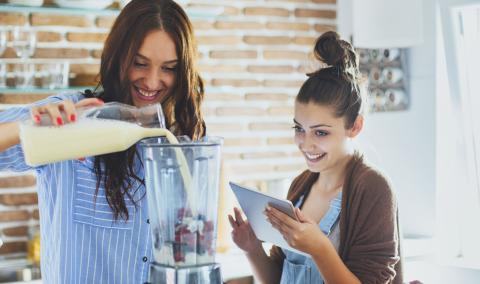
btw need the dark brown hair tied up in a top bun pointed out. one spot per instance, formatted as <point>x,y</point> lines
<point>337,85</point>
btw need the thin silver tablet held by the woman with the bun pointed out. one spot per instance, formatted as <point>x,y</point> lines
<point>253,204</point>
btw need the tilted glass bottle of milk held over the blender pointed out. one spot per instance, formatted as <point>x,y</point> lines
<point>110,128</point>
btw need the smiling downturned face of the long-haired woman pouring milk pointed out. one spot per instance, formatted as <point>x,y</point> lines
<point>152,74</point>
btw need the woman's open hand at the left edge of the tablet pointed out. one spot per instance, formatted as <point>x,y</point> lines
<point>242,233</point>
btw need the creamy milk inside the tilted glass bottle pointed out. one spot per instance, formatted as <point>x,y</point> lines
<point>87,137</point>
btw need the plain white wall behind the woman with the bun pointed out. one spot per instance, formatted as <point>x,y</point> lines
<point>402,143</point>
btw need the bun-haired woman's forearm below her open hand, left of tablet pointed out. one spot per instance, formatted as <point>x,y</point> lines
<point>266,270</point>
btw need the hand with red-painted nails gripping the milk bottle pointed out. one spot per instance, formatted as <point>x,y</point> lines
<point>55,110</point>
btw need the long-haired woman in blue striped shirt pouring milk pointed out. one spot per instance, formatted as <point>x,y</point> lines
<point>93,212</point>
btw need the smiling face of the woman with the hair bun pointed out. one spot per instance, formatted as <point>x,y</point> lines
<point>321,136</point>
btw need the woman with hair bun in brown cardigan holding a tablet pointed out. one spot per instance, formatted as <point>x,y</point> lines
<point>347,211</point>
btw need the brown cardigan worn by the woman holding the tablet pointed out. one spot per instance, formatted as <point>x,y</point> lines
<point>369,234</point>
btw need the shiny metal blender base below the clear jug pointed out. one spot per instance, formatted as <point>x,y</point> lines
<point>204,274</point>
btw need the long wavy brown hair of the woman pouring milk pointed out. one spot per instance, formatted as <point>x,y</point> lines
<point>182,105</point>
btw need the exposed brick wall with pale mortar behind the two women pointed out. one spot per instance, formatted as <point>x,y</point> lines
<point>253,58</point>
